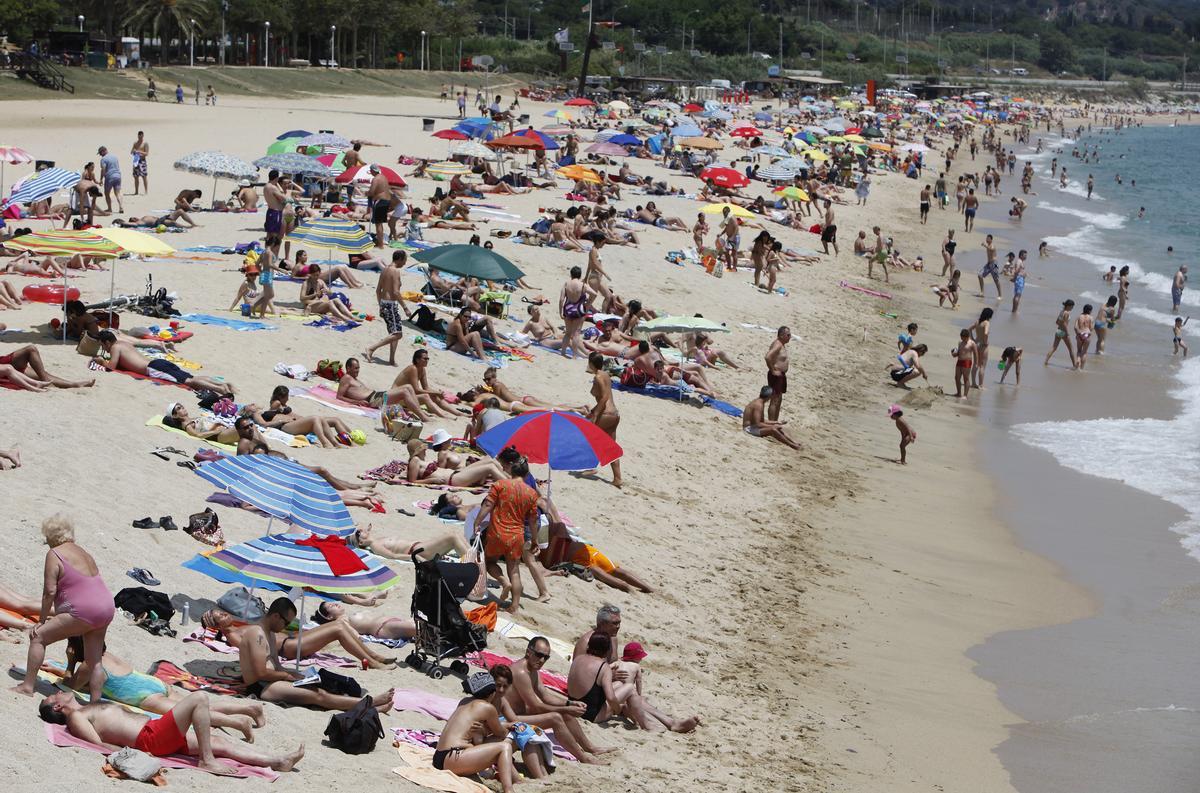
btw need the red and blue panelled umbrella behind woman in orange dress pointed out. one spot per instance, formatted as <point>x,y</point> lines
<point>563,441</point>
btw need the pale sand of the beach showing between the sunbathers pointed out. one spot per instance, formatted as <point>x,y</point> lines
<point>815,609</point>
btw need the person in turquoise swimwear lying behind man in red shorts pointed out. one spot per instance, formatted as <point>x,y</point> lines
<point>128,687</point>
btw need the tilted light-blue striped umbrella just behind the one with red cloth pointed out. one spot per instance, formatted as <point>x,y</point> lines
<point>284,490</point>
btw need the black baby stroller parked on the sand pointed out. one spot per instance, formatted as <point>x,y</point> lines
<point>442,632</point>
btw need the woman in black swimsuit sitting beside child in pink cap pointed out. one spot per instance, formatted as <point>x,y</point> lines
<point>591,682</point>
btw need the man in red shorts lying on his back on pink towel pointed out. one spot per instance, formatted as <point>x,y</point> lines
<point>115,726</point>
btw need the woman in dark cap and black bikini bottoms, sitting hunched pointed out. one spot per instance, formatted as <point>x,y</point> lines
<point>457,752</point>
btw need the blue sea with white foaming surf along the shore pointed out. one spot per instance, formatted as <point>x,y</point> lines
<point>1157,169</point>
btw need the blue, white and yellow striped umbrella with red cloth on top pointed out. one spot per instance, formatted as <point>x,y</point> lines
<point>281,561</point>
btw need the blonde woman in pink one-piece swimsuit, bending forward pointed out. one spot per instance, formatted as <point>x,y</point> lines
<point>82,606</point>
